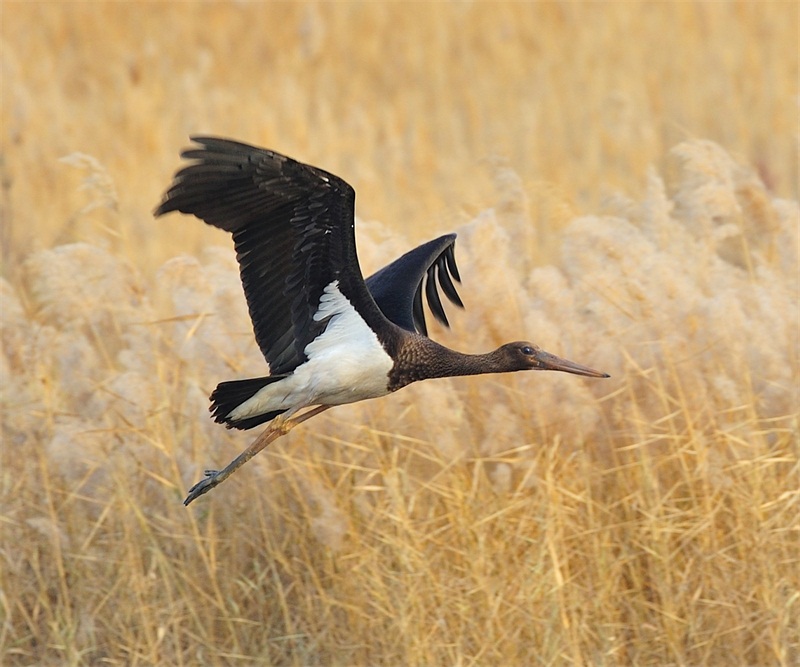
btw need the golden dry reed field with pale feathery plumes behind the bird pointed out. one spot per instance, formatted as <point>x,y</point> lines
<point>624,181</point>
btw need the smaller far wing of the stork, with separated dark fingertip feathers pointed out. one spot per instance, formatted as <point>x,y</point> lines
<point>397,288</point>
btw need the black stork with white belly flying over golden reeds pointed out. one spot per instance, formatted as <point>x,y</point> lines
<point>329,336</point>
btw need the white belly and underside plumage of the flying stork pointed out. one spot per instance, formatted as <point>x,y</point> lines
<point>346,363</point>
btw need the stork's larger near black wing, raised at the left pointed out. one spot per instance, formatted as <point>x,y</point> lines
<point>293,229</point>
